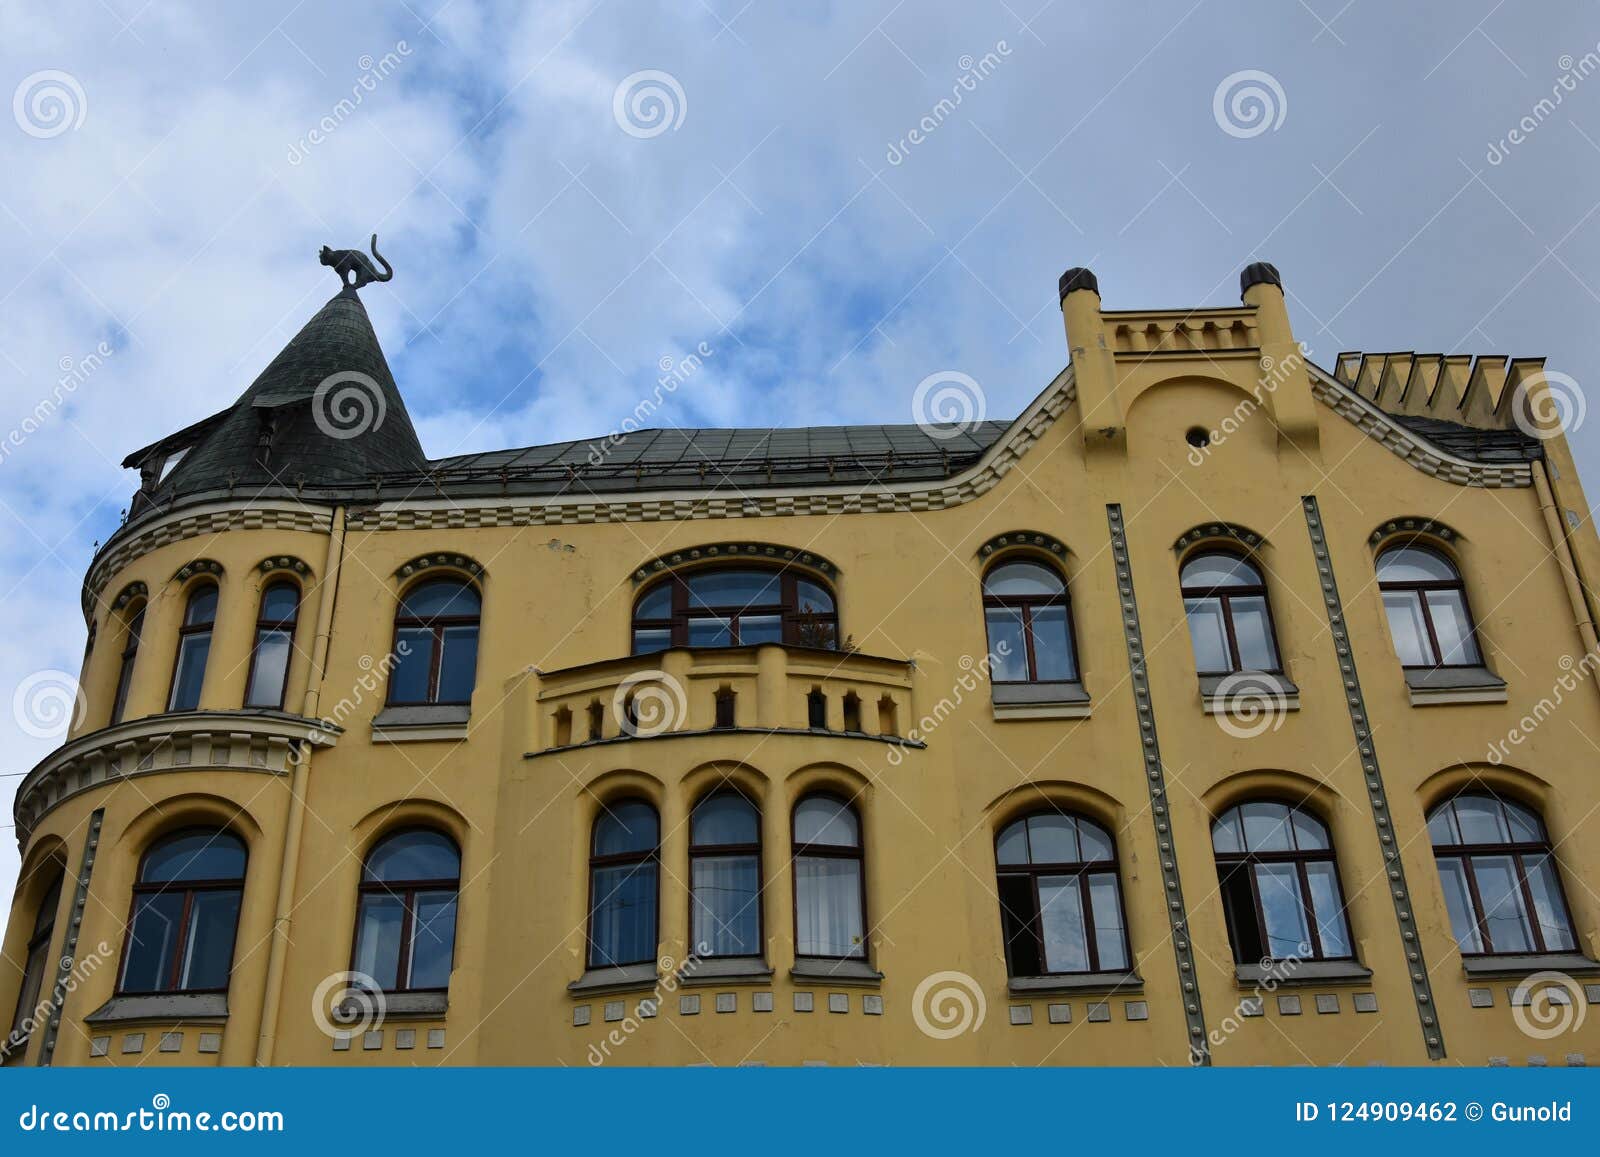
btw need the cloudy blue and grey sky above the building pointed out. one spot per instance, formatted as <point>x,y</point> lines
<point>828,202</point>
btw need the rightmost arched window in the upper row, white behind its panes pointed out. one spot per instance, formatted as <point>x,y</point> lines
<point>1428,612</point>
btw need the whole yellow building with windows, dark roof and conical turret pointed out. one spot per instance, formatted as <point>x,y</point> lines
<point>1220,708</point>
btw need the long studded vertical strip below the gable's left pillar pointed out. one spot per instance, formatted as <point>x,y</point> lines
<point>1156,780</point>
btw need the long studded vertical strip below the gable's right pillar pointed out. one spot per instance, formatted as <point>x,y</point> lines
<point>1422,991</point>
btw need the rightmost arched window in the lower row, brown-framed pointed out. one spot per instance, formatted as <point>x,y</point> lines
<point>1500,881</point>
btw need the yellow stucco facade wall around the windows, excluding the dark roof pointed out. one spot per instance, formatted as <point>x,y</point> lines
<point>1305,471</point>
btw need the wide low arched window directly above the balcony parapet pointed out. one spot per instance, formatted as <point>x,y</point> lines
<point>735,607</point>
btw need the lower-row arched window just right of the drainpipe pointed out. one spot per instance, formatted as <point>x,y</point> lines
<point>406,926</point>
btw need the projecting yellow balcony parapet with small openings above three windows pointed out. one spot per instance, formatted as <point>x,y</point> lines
<point>769,689</point>
